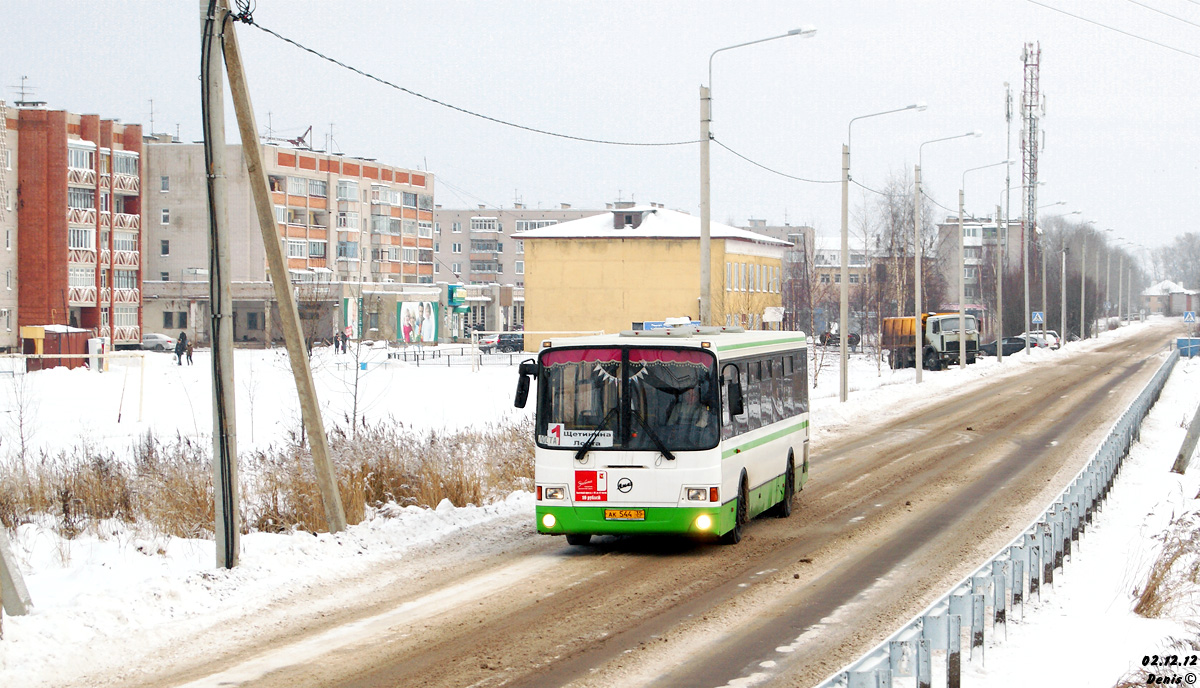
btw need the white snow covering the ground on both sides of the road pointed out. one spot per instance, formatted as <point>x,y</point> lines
<point>116,595</point>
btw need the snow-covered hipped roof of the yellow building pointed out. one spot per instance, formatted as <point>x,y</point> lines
<point>655,224</point>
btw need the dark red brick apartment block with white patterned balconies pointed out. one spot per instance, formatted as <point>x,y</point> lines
<point>80,216</point>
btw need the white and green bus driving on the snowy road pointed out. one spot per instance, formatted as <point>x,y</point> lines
<point>692,430</point>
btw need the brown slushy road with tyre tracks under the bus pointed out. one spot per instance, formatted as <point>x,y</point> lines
<point>895,513</point>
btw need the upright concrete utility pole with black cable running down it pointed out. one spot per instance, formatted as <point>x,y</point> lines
<point>225,430</point>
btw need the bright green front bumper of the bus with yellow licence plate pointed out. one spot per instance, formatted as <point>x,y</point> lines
<point>697,522</point>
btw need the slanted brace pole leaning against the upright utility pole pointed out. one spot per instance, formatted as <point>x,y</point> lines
<point>293,337</point>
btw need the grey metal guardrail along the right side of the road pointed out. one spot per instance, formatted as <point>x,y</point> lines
<point>1016,573</point>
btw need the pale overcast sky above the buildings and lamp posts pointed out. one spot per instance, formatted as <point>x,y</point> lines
<point>1121,137</point>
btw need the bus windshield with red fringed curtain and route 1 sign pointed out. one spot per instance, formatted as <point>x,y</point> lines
<point>629,399</point>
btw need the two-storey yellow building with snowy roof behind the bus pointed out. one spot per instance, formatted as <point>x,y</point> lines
<point>615,271</point>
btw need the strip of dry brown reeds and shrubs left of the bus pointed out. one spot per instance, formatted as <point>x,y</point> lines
<point>169,486</point>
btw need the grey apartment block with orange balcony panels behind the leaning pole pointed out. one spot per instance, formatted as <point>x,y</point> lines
<point>346,225</point>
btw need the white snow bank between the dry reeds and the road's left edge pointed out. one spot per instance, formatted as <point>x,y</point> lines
<point>101,600</point>
